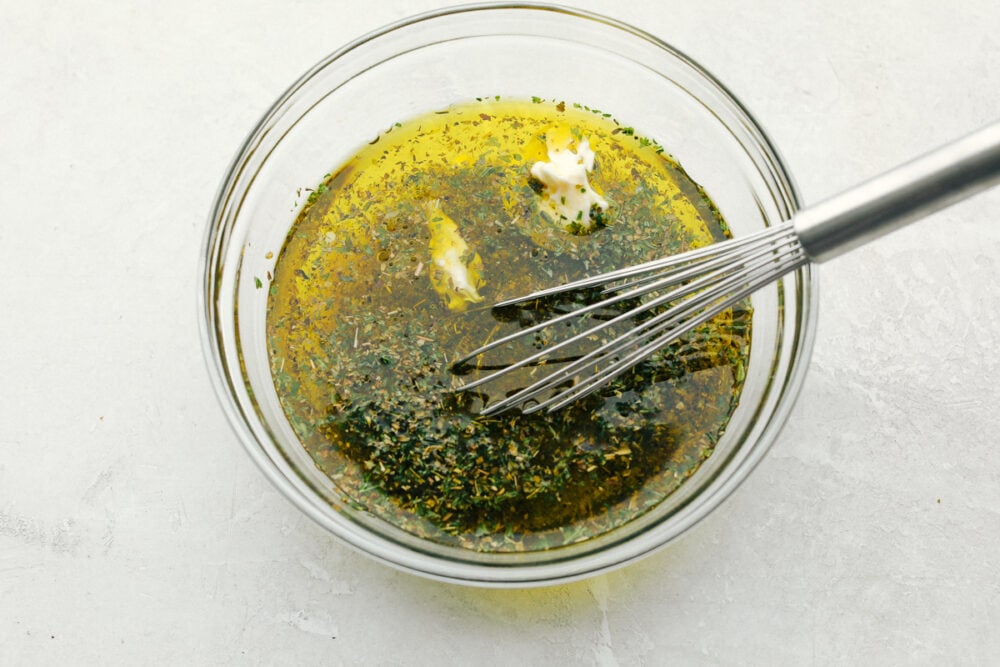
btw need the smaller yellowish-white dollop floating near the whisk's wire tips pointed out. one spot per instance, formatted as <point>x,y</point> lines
<point>453,274</point>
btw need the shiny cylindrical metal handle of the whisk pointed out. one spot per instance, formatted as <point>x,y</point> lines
<point>896,198</point>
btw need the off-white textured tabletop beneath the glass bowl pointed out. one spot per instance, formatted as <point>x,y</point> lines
<point>134,530</point>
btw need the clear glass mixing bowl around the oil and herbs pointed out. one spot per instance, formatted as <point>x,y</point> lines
<point>427,63</point>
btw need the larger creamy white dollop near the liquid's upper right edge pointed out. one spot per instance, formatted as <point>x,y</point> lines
<point>568,194</point>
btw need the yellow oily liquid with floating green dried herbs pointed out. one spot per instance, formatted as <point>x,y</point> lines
<point>388,274</point>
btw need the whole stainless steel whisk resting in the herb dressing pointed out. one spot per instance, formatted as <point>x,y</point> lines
<point>664,299</point>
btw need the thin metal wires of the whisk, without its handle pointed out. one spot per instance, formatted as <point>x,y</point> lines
<point>711,274</point>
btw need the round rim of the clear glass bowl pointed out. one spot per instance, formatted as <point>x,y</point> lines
<point>480,574</point>
